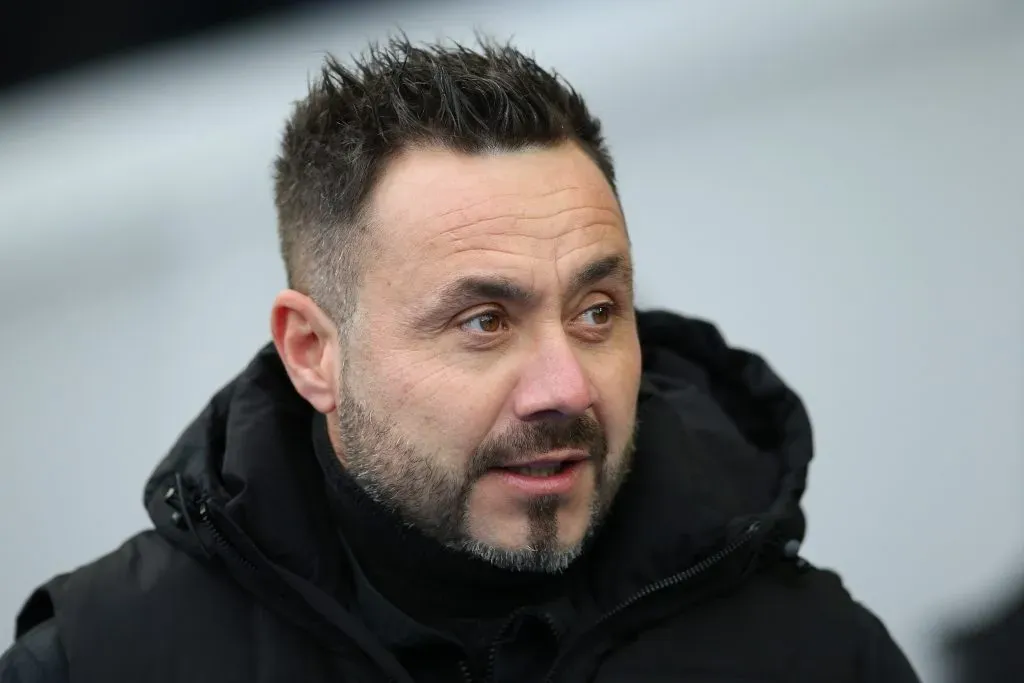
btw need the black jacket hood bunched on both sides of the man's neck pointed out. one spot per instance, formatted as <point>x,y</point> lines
<point>721,442</point>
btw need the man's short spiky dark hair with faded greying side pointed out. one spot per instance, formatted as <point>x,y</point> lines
<point>355,120</point>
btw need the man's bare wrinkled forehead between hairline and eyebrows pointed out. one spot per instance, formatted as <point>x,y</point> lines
<point>534,219</point>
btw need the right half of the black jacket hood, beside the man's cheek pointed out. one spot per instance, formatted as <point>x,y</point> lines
<point>722,444</point>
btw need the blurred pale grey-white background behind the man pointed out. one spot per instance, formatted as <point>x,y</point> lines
<point>838,186</point>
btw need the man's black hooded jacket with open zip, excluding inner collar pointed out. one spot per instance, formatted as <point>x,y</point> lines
<point>696,576</point>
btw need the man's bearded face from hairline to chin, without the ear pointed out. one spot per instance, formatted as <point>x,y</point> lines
<point>490,378</point>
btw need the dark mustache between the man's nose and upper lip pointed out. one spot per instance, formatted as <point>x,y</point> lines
<point>524,443</point>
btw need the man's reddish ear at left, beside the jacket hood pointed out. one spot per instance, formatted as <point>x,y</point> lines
<point>309,346</point>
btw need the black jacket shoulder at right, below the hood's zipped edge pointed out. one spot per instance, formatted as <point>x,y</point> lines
<point>787,623</point>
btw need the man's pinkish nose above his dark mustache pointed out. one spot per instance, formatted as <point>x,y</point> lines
<point>553,382</point>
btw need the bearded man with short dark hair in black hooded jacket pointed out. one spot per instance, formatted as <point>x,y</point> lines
<point>466,457</point>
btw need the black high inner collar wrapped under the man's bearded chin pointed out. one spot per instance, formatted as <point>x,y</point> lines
<point>417,574</point>
